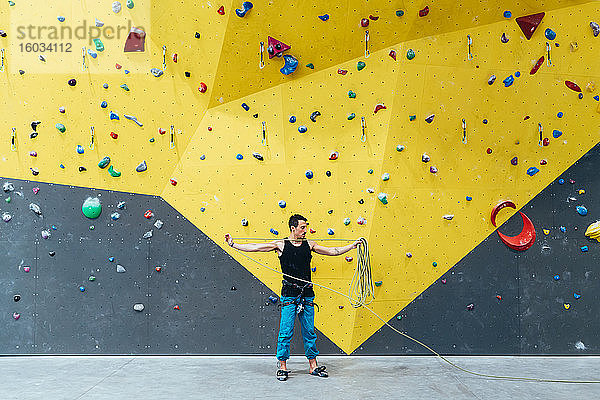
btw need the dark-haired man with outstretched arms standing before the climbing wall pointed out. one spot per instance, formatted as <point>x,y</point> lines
<point>296,296</point>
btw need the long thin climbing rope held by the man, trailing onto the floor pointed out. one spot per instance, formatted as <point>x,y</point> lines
<point>363,259</point>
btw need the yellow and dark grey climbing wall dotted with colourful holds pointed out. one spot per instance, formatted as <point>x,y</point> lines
<point>401,122</point>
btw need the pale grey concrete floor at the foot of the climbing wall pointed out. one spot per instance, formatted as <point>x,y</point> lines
<point>253,377</point>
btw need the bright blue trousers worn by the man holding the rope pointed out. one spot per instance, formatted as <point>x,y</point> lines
<point>307,325</point>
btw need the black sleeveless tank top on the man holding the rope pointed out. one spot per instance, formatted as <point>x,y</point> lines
<point>295,261</point>
